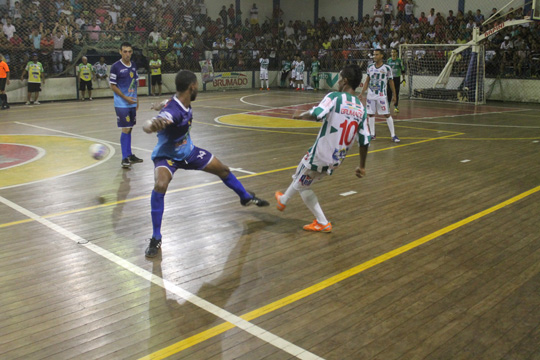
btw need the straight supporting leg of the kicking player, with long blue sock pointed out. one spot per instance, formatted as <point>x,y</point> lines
<point>162,177</point>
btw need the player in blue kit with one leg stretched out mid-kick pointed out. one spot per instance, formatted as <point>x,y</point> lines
<point>175,150</point>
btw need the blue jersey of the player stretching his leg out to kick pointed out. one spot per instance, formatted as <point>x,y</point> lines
<point>174,142</point>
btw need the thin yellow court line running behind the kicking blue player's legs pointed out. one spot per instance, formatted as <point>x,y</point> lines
<point>145,197</point>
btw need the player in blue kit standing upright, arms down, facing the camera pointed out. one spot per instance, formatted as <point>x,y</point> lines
<point>123,80</point>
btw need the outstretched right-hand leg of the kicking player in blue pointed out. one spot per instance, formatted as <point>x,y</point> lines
<point>201,159</point>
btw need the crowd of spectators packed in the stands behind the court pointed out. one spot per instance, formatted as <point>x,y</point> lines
<point>182,33</point>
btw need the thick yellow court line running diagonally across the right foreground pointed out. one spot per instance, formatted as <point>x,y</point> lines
<point>219,329</point>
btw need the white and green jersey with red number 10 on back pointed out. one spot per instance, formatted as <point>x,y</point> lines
<point>344,121</point>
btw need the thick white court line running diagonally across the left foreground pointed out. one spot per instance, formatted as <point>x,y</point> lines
<point>237,321</point>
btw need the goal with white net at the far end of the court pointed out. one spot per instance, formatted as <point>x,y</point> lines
<point>435,72</point>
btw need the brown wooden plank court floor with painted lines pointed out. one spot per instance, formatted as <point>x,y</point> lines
<point>436,254</point>
